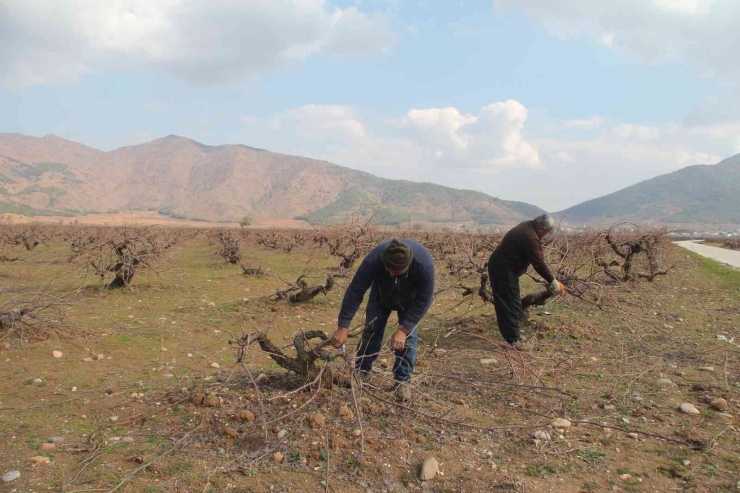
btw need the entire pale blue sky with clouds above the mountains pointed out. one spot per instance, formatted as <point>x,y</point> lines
<point>547,101</point>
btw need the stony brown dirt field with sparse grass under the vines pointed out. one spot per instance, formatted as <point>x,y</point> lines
<point>129,405</point>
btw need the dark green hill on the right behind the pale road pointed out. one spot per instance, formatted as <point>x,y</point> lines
<point>702,194</point>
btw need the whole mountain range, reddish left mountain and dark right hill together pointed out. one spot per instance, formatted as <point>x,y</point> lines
<point>184,179</point>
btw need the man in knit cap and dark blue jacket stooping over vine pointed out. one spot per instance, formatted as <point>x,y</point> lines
<point>400,276</point>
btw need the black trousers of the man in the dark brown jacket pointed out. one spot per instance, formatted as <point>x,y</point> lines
<point>507,300</point>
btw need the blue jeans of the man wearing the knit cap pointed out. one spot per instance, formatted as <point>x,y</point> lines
<point>372,342</point>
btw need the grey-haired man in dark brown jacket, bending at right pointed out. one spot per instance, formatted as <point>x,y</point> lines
<point>520,248</point>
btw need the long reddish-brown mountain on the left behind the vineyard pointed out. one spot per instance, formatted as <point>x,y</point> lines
<point>185,179</point>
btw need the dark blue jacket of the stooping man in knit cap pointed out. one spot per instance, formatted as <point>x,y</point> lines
<point>410,293</point>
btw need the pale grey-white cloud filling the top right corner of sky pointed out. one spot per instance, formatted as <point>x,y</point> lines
<point>702,33</point>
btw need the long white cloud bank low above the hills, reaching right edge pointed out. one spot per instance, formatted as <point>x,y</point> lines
<point>488,150</point>
